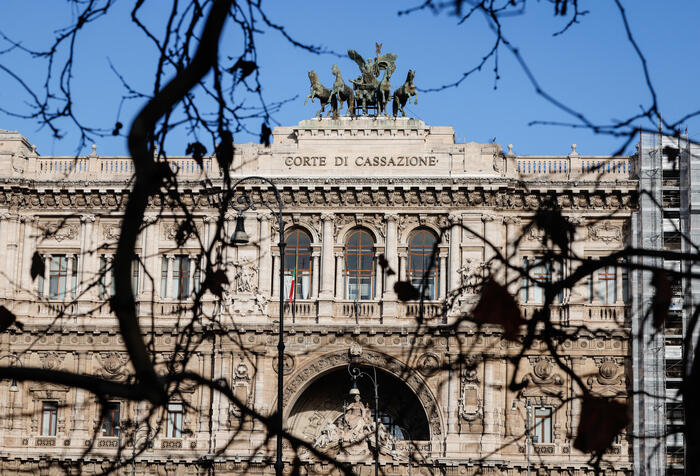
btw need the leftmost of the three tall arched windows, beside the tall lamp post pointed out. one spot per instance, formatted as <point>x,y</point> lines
<point>297,265</point>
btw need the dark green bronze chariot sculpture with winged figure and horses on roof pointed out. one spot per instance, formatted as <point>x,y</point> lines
<point>368,91</point>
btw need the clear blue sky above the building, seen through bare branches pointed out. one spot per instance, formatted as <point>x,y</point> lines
<point>591,68</point>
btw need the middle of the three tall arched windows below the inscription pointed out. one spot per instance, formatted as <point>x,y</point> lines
<point>359,266</point>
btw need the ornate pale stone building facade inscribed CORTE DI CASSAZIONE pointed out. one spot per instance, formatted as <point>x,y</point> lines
<point>352,190</point>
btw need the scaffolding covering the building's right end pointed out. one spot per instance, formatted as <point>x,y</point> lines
<point>669,196</point>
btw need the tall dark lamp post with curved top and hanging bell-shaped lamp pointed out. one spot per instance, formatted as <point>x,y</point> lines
<point>240,237</point>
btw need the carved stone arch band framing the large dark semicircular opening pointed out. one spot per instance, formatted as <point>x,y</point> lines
<point>306,375</point>
